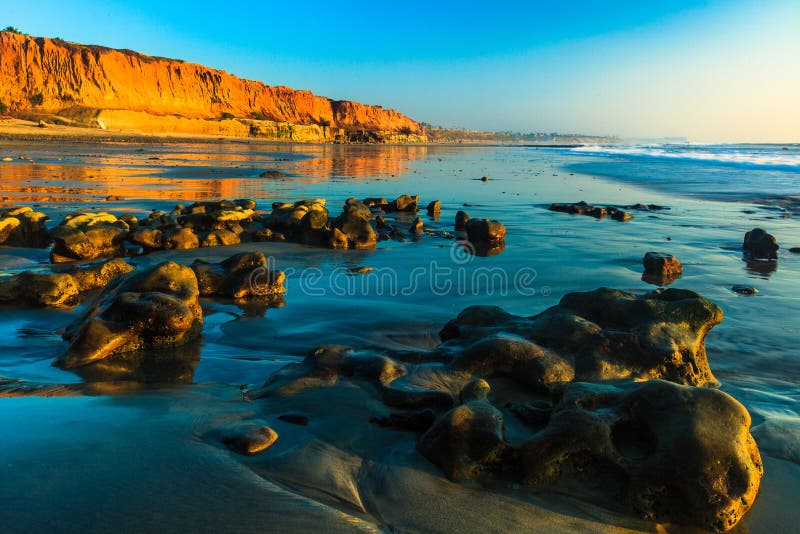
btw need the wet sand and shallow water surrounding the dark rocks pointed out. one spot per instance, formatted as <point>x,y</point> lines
<point>121,438</point>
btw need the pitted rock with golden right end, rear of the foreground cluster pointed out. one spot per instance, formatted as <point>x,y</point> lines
<point>608,334</point>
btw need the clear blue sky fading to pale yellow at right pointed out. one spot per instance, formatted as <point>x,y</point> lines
<point>715,70</point>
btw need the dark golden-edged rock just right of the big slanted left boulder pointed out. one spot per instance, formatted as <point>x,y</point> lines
<point>242,276</point>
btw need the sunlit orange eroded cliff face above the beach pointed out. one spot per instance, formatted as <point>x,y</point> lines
<point>52,76</point>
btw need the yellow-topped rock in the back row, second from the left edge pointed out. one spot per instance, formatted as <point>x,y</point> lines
<point>88,236</point>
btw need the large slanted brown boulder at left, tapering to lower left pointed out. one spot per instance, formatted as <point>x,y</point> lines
<point>147,310</point>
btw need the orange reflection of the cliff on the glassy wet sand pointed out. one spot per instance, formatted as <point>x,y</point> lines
<point>186,172</point>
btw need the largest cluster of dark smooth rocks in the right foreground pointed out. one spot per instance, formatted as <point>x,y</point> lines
<point>602,394</point>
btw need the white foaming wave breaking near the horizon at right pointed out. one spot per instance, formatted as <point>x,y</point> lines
<point>710,154</point>
